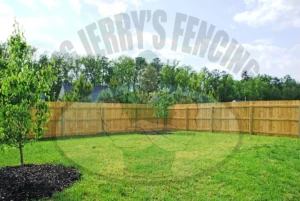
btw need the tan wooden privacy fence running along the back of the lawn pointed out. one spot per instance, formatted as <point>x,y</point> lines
<point>280,118</point>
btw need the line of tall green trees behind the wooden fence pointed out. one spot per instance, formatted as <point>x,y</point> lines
<point>134,80</point>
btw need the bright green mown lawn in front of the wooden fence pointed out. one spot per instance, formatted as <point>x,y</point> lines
<point>178,166</point>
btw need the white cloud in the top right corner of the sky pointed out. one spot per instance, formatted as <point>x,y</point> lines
<point>279,13</point>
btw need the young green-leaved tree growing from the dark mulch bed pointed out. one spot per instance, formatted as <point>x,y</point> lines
<point>23,113</point>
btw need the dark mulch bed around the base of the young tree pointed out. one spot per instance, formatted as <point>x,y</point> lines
<point>35,181</point>
